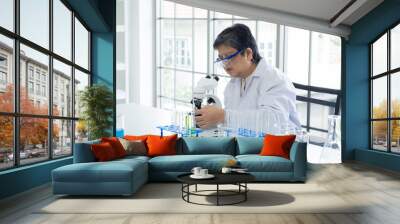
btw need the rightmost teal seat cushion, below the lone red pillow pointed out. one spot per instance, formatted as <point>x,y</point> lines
<point>257,163</point>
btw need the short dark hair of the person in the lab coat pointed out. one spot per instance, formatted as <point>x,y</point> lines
<point>239,37</point>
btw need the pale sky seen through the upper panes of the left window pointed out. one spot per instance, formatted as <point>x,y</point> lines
<point>35,27</point>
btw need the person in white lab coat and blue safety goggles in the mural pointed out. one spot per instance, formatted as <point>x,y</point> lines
<point>255,86</point>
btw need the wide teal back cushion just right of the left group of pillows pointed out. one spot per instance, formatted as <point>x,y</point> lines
<point>208,145</point>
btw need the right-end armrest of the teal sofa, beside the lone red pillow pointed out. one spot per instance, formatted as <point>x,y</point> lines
<point>298,155</point>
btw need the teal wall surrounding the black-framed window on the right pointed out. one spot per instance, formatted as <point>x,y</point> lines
<point>357,100</point>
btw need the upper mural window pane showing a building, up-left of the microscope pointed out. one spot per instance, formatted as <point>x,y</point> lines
<point>183,44</point>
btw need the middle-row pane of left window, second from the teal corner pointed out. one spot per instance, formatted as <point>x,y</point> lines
<point>62,89</point>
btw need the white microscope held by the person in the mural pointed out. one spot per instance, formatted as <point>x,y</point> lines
<point>203,94</point>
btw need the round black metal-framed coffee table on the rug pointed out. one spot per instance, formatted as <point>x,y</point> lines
<point>238,179</point>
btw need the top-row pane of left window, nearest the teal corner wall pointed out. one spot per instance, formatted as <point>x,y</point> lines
<point>81,45</point>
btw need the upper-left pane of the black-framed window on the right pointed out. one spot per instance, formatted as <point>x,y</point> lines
<point>379,55</point>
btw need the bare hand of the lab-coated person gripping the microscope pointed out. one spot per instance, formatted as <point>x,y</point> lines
<point>209,116</point>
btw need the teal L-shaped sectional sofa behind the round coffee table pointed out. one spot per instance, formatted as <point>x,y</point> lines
<point>125,176</point>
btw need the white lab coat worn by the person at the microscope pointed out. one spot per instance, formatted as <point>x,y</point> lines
<point>269,99</point>
